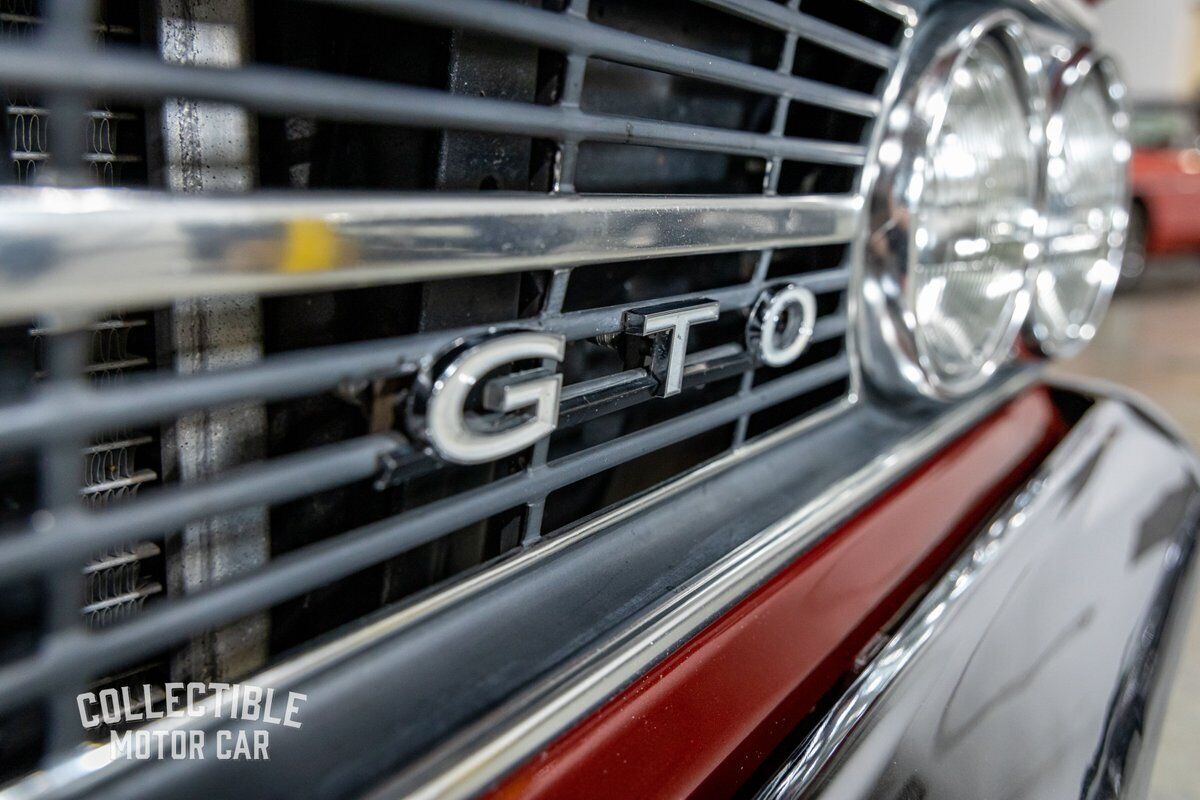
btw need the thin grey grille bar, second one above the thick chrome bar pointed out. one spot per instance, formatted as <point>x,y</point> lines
<point>573,34</point>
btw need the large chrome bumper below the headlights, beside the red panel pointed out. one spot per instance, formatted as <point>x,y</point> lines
<point>962,694</point>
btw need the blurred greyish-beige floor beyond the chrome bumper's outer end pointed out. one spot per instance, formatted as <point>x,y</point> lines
<point>1151,341</point>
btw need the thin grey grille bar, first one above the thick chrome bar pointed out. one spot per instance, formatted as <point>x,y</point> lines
<point>129,76</point>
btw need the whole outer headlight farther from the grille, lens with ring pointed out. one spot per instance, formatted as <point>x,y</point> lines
<point>1087,196</point>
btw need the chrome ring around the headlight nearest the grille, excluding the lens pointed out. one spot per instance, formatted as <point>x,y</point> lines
<point>887,339</point>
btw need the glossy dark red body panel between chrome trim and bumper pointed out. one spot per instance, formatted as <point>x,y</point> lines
<point>705,719</point>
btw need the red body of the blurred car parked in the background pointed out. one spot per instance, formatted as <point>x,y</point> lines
<point>1167,182</point>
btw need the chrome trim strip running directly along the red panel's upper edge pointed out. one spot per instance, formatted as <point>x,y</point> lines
<point>475,759</point>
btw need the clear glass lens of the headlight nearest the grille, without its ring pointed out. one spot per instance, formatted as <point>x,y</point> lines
<point>974,225</point>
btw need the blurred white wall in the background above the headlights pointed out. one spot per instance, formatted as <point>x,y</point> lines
<point>1154,41</point>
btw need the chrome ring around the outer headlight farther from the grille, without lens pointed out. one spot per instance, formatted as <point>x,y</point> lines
<point>1073,76</point>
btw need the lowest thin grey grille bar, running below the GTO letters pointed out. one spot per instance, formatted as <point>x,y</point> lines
<point>320,564</point>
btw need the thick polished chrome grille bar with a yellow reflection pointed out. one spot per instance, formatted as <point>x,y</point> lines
<point>131,250</point>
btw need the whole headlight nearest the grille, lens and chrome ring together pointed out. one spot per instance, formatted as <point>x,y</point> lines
<point>955,218</point>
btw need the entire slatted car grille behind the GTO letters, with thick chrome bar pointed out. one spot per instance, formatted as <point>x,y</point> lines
<point>442,169</point>
